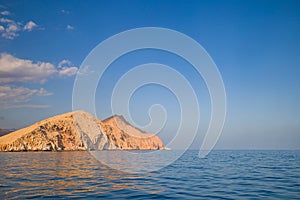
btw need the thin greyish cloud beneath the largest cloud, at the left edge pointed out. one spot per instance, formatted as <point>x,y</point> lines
<point>15,97</point>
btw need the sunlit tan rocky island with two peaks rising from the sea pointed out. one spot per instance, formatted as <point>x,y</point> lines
<point>78,131</point>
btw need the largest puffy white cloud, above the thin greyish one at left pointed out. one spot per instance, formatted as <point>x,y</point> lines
<point>13,69</point>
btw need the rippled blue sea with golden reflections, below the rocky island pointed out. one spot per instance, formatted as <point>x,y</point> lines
<point>221,175</point>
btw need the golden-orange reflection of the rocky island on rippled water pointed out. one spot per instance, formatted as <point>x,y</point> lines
<point>60,174</point>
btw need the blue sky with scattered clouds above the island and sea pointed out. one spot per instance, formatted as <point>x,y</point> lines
<point>255,44</point>
